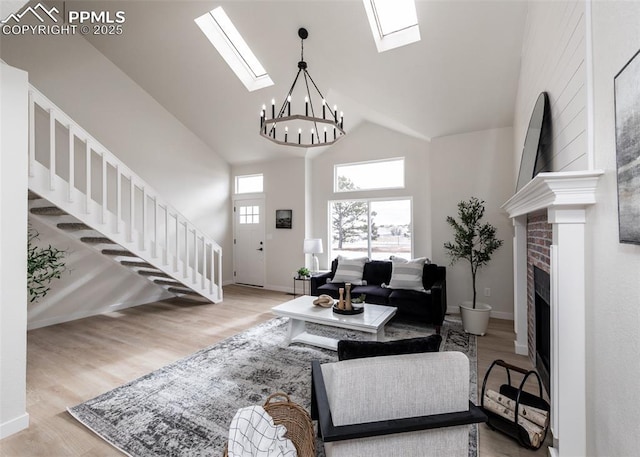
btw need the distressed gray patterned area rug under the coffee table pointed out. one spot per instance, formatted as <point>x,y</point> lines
<point>185,408</point>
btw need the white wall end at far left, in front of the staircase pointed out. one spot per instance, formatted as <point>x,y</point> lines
<point>13,245</point>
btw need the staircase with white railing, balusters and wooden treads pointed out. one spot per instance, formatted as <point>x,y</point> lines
<point>77,186</point>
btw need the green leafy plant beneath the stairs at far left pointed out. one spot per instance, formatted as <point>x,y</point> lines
<point>43,266</point>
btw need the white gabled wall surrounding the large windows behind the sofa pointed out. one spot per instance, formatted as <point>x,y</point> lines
<point>372,142</point>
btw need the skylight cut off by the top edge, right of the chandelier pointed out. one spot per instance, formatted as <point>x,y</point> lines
<point>394,23</point>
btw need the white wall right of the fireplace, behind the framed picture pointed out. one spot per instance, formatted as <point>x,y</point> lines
<point>613,310</point>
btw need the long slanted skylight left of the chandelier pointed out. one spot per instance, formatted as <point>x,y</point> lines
<point>219,29</point>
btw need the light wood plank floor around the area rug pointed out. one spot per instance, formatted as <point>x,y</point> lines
<point>72,362</point>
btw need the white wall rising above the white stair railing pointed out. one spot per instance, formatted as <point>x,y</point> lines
<point>134,127</point>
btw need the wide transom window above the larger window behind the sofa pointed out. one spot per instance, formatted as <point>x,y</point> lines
<point>378,174</point>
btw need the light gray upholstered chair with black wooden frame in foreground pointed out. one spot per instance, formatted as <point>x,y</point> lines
<point>409,405</point>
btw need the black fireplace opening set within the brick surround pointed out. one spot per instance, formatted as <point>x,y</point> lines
<point>542,289</point>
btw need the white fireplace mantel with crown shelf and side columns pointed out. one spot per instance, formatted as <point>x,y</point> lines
<point>565,196</point>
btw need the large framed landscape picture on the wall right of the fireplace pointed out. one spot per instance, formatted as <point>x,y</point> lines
<point>627,110</point>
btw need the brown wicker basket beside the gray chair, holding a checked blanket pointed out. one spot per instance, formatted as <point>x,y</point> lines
<point>296,420</point>
